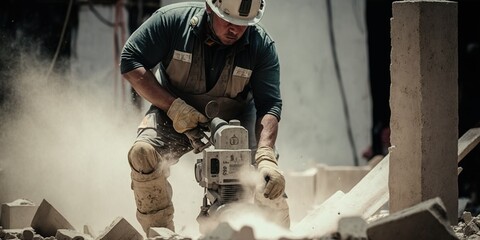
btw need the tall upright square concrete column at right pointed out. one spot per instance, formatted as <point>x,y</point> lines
<point>423,102</point>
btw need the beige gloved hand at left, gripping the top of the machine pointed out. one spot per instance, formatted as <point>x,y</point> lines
<point>184,116</point>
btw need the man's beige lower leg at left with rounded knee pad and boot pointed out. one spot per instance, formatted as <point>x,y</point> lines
<point>153,193</point>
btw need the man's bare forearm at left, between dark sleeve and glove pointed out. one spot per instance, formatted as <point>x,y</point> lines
<point>146,85</point>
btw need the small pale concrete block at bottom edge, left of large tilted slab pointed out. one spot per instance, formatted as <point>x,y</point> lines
<point>352,228</point>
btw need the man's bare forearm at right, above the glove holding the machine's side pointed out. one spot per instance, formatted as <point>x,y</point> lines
<point>267,130</point>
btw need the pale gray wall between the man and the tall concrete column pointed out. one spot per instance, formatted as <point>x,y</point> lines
<point>314,126</point>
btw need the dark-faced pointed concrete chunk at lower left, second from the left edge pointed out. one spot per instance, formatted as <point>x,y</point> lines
<point>48,220</point>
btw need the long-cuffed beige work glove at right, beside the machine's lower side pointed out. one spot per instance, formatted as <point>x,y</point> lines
<point>268,167</point>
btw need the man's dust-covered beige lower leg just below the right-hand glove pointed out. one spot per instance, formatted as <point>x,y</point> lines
<point>276,210</point>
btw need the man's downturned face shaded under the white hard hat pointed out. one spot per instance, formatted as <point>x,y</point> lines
<point>227,33</point>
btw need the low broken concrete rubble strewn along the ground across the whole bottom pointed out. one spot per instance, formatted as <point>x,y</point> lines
<point>426,220</point>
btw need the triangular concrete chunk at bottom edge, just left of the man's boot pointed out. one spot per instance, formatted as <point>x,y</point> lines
<point>120,229</point>
